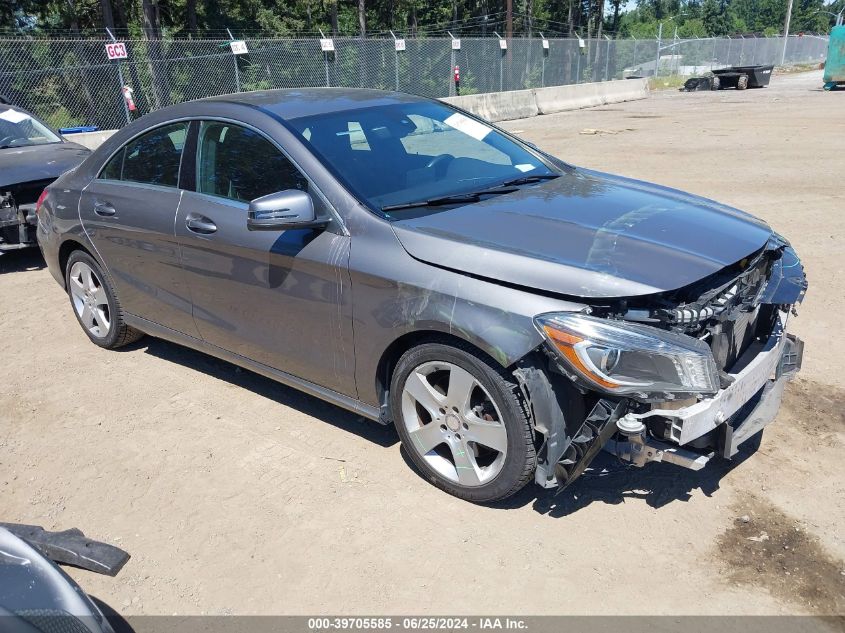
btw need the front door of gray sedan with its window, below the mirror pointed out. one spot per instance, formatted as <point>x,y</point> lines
<point>281,298</point>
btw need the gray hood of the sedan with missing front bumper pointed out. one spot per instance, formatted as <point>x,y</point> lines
<point>586,234</point>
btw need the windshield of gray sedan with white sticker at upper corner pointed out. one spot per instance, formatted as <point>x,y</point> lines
<point>395,155</point>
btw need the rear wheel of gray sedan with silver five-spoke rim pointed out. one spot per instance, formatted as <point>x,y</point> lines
<point>95,304</point>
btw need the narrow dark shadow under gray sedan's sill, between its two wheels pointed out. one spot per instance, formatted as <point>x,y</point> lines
<point>351,423</point>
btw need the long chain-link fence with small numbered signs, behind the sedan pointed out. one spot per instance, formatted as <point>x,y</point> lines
<point>72,83</point>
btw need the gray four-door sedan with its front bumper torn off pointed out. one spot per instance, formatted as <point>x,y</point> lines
<point>511,314</point>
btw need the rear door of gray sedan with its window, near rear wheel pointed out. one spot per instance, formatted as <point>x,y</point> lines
<point>128,211</point>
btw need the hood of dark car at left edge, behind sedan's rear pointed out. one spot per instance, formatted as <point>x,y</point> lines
<point>39,162</point>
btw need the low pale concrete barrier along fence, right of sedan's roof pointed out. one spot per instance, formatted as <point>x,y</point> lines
<point>518,104</point>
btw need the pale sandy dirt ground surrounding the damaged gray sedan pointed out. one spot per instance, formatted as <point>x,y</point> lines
<point>237,495</point>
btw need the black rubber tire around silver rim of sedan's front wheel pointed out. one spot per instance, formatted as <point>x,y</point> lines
<point>520,460</point>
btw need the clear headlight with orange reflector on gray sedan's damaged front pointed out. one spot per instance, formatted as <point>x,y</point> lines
<point>622,357</point>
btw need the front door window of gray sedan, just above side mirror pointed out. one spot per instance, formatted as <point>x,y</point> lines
<point>238,163</point>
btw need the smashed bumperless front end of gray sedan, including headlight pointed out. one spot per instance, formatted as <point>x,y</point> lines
<point>680,377</point>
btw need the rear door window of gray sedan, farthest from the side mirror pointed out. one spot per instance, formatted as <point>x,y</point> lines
<point>152,158</point>
